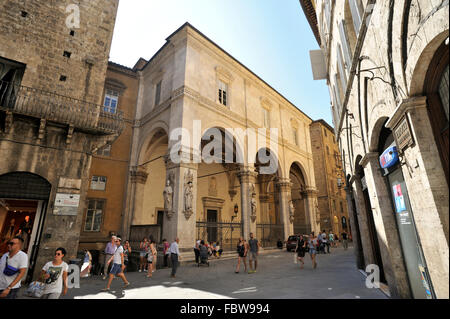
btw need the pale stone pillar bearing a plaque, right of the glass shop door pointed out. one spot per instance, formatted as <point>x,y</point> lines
<point>427,188</point>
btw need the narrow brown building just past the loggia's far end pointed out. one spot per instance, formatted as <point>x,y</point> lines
<point>330,179</point>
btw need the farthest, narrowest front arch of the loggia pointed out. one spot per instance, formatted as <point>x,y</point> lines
<point>302,222</point>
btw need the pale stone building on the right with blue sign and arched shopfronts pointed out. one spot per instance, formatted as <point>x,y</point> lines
<point>386,64</point>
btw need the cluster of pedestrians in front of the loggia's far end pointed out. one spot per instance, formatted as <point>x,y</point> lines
<point>313,244</point>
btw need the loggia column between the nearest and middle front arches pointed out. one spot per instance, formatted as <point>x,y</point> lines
<point>247,179</point>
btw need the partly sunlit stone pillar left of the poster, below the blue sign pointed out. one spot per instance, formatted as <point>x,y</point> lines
<point>386,227</point>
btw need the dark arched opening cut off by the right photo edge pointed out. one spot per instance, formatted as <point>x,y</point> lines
<point>436,88</point>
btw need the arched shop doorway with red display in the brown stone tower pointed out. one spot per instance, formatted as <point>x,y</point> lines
<point>23,206</point>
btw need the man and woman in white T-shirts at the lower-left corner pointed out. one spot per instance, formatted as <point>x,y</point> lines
<point>13,267</point>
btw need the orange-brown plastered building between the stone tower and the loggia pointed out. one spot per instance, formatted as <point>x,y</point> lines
<point>110,165</point>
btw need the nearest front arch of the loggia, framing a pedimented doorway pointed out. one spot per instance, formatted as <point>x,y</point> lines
<point>218,189</point>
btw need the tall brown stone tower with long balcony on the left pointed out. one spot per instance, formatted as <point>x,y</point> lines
<point>53,60</point>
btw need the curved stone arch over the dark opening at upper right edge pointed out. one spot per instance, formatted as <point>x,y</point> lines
<point>422,52</point>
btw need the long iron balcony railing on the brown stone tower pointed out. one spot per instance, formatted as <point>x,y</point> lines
<point>58,108</point>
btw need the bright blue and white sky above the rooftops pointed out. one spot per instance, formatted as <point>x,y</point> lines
<point>270,37</point>
